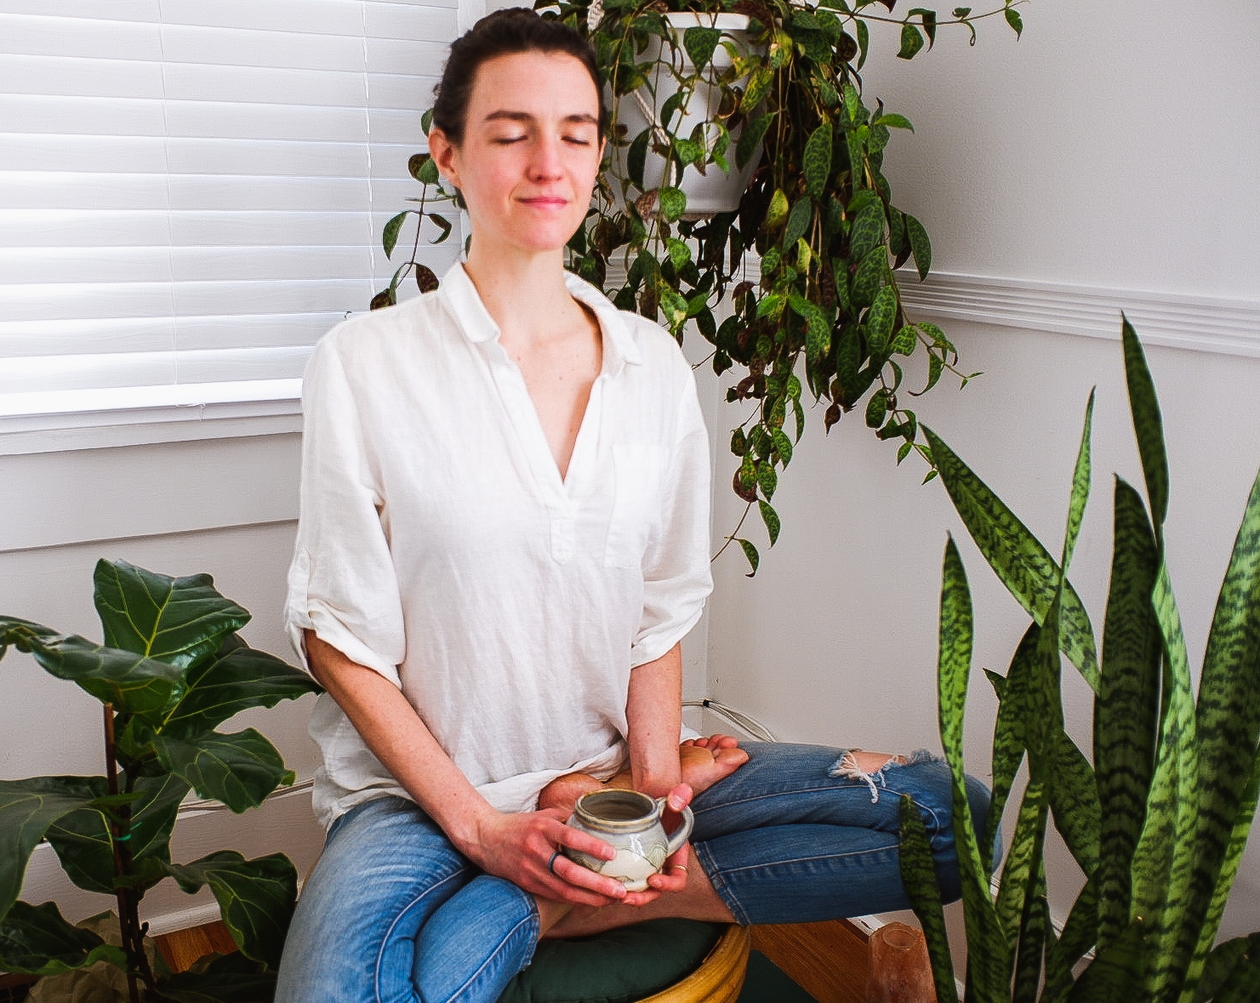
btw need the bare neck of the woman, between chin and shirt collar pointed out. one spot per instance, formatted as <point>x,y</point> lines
<point>524,294</point>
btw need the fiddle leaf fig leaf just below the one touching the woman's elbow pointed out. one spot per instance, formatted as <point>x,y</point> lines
<point>240,769</point>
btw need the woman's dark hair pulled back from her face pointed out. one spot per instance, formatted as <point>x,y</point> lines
<point>505,33</point>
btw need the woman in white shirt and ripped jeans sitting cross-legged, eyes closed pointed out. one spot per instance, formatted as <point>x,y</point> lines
<point>503,541</point>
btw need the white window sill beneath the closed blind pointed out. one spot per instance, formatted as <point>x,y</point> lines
<point>132,416</point>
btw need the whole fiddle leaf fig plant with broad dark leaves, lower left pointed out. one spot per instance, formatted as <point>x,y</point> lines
<point>171,671</point>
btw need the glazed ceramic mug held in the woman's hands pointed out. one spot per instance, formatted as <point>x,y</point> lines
<point>632,823</point>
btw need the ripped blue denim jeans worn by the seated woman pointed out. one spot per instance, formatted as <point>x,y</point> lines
<point>395,913</point>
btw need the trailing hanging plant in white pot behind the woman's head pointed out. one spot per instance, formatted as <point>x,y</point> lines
<point>796,285</point>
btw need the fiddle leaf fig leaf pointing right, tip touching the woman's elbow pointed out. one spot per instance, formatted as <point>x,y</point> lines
<point>240,679</point>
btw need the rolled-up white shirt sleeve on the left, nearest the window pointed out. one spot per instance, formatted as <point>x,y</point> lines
<point>342,583</point>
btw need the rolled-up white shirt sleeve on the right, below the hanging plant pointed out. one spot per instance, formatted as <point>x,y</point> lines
<point>677,579</point>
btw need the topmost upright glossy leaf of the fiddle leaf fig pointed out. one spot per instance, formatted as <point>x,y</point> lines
<point>176,621</point>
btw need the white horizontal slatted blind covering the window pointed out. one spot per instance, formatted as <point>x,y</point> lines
<point>192,193</point>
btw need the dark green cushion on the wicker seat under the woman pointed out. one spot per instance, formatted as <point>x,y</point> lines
<point>618,967</point>
